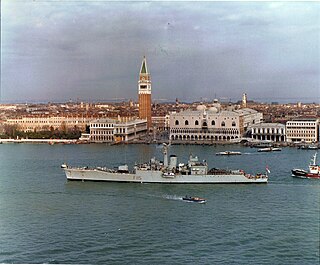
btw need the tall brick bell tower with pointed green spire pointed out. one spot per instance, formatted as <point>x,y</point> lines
<point>144,91</point>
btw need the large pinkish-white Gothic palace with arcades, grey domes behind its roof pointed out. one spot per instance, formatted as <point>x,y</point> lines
<point>212,124</point>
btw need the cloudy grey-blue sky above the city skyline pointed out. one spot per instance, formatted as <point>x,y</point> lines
<point>56,51</point>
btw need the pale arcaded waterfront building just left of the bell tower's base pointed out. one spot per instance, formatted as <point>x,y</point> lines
<point>114,130</point>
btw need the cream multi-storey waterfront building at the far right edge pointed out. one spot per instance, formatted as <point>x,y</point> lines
<point>303,130</point>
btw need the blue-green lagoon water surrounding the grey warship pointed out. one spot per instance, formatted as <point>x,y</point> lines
<point>45,219</point>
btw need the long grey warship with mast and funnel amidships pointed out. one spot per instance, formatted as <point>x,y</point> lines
<point>169,171</point>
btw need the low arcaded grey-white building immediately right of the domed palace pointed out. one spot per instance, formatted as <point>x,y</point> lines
<point>269,131</point>
